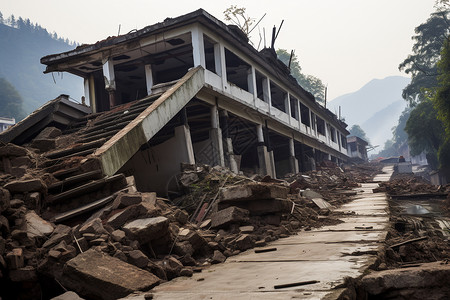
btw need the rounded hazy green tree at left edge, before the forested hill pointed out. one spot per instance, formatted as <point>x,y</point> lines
<point>10,101</point>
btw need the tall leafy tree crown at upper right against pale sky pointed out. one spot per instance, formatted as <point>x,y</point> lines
<point>421,65</point>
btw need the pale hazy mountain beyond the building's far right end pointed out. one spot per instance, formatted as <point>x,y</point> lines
<point>375,107</point>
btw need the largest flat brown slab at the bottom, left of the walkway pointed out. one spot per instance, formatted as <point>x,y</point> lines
<point>97,275</point>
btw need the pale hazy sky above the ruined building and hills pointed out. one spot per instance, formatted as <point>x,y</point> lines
<point>345,43</point>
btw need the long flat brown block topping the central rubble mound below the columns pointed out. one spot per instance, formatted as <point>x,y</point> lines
<point>253,191</point>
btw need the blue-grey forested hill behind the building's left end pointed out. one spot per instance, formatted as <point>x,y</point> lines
<point>22,46</point>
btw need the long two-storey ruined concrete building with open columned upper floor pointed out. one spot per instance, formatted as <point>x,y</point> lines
<point>187,90</point>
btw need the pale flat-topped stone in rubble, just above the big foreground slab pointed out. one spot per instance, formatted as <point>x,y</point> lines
<point>148,229</point>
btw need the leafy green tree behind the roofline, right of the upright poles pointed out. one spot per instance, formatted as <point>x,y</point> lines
<point>310,83</point>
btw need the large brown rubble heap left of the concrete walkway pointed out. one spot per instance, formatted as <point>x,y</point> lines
<point>51,242</point>
